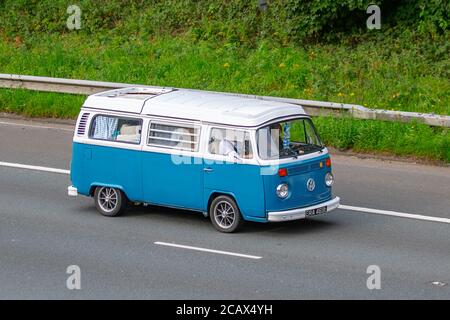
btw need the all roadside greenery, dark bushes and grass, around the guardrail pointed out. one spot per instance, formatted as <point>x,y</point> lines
<point>318,50</point>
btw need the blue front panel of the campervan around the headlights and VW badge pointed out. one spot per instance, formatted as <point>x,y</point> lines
<point>298,174</point>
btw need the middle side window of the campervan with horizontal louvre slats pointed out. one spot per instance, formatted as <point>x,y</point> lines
<point>174,136</point>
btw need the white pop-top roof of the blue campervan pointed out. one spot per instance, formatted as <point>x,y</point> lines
<point>193,105</point>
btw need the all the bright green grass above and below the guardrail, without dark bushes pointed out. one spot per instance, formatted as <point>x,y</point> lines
<point>405,72</point>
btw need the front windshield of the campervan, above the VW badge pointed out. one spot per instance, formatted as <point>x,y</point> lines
<point>290,138</point>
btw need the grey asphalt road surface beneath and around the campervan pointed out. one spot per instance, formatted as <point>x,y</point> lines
<point>43,231</point>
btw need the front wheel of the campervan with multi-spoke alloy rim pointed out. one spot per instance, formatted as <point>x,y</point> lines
<point>225,215</point>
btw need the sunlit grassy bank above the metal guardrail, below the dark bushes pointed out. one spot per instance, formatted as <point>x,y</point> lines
<point>376,77</point>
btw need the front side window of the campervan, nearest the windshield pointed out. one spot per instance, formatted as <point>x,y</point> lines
<point>229,141</point>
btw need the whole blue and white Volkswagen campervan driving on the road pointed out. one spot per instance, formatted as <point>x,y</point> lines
<point>235,159</point>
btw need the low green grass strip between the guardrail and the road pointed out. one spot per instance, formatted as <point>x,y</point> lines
<point>401,139</point>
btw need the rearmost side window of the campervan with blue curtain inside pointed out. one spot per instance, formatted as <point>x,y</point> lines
<point>116,129</point>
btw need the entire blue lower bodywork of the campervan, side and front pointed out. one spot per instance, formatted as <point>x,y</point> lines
<point>155,178</point>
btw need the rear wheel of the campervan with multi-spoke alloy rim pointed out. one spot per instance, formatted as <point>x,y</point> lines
<point>110,202</point>
